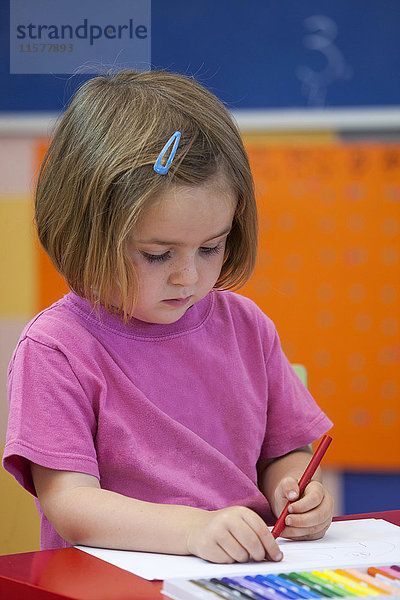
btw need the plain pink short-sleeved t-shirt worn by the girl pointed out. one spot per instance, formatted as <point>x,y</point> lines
<point>176,414</point>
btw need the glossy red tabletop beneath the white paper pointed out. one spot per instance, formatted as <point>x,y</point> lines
<point>70,573</point>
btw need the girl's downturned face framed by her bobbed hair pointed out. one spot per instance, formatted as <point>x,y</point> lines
<point>177,248</point>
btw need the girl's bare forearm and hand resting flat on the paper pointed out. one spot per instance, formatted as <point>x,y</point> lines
<point>85,514</point>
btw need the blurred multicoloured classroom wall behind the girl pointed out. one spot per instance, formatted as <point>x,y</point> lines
<point>315,89</point>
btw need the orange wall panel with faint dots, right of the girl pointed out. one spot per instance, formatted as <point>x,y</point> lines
<point>328,275</point>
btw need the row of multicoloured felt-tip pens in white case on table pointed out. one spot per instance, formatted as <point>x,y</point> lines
<point>383,581</point>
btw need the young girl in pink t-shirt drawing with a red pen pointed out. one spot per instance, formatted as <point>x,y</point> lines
<point>149,409</point>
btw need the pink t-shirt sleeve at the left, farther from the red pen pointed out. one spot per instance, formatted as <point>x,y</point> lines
<point>52,421</point>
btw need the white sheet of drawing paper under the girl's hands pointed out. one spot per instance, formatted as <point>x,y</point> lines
<point>346,544</point>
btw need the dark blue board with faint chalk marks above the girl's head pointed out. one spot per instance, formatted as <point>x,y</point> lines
<point>253,54</point>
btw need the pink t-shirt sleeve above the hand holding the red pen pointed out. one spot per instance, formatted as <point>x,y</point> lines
<point>293,417</point>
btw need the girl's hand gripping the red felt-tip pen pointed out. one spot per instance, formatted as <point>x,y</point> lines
<point>309,516</point>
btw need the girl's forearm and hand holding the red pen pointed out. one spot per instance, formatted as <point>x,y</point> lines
<point>310,515</point>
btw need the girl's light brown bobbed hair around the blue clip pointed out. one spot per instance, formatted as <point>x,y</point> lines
<point>97,177</point>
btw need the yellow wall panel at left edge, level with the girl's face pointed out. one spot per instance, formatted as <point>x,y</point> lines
<point>18,266</point>
